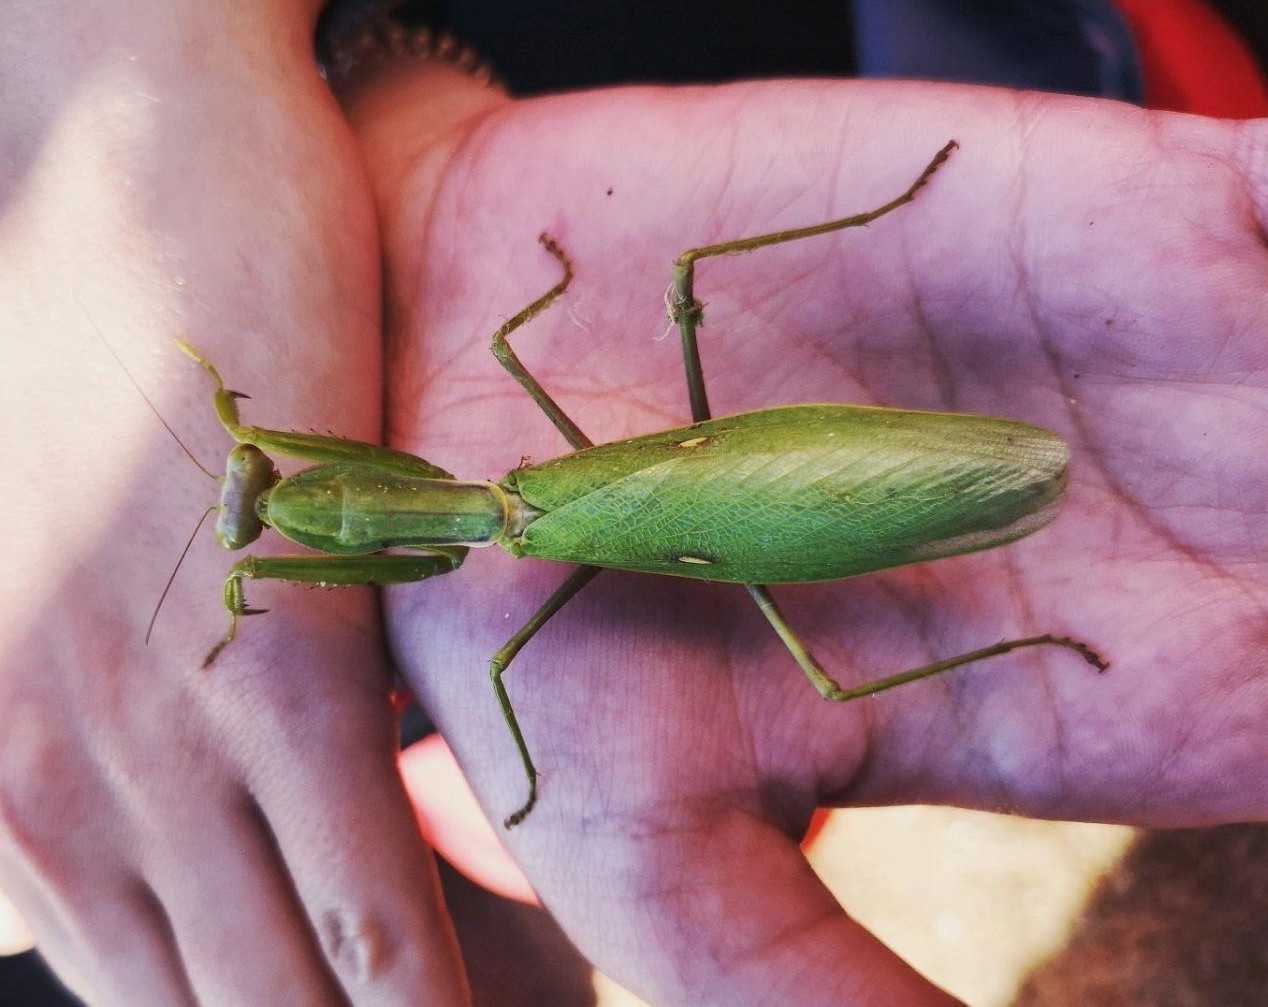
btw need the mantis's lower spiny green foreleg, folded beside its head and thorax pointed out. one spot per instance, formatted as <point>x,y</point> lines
<point>337,571</point>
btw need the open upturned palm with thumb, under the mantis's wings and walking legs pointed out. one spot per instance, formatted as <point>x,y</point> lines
<point>1084,266</point>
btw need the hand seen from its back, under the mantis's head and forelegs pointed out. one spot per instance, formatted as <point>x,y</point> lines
<point>176,836</point>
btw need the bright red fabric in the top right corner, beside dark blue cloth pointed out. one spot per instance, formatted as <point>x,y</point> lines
<point>1194,62</point>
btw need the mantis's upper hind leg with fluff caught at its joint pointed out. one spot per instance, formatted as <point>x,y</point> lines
<point>688,313</point>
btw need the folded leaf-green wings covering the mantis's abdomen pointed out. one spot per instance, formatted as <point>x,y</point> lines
<point>796,494</point>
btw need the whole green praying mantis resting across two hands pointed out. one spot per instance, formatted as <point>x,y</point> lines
<point>784,495</point>
